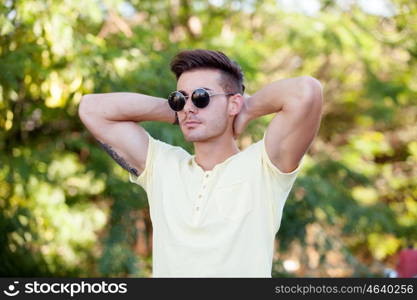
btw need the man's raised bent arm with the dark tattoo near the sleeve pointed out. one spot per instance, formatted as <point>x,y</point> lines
<point>111,118</point>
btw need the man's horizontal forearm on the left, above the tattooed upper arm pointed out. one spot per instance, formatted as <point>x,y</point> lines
<point>126,107</point>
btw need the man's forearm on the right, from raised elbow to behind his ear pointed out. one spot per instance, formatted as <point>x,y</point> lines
<point>278,95</point>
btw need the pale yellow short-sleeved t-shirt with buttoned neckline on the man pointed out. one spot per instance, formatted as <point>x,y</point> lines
<point>217,223</point>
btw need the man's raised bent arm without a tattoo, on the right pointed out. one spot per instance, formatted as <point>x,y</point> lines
<point>298,104</point>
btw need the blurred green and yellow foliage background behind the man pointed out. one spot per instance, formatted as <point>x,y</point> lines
<point>66,209</point>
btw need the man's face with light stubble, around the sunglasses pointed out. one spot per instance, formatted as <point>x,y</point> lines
<point>211,121</point>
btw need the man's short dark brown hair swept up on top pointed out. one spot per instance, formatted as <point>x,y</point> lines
<point>231,73</point>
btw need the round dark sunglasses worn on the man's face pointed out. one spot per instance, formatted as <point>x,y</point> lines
<point>200,98</point>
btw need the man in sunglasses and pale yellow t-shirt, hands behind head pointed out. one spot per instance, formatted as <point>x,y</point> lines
<point>215,213</point>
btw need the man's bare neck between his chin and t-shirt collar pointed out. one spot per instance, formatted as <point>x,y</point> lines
<point>210,153</point>
